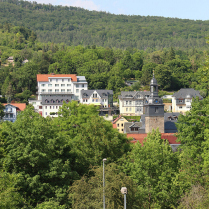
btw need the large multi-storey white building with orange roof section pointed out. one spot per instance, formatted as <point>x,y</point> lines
<point>53,89</point>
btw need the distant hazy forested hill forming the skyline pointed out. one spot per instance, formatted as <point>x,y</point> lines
<point>74,26</point>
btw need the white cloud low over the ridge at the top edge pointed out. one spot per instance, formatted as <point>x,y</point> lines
<point>86,4</point>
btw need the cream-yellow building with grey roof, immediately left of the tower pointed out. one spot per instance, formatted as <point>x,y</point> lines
<point>131,103</point>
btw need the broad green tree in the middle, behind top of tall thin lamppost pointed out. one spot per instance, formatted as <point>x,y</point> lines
<point>91,137</point>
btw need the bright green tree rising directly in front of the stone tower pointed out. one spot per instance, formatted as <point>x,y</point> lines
<point>153,168</point>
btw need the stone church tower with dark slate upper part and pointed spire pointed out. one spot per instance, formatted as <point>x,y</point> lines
<point>154,109</point>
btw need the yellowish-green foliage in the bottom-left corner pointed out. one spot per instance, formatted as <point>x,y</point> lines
<point>9,197</point>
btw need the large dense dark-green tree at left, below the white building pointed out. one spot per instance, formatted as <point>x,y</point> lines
<point>40,155</point>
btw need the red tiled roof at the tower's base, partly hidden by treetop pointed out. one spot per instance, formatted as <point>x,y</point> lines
<point>171,137</point>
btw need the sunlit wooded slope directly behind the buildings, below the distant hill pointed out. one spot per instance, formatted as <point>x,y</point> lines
<point>104,68</point>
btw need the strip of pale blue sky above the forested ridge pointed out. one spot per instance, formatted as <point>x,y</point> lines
<point>184,9</point>
